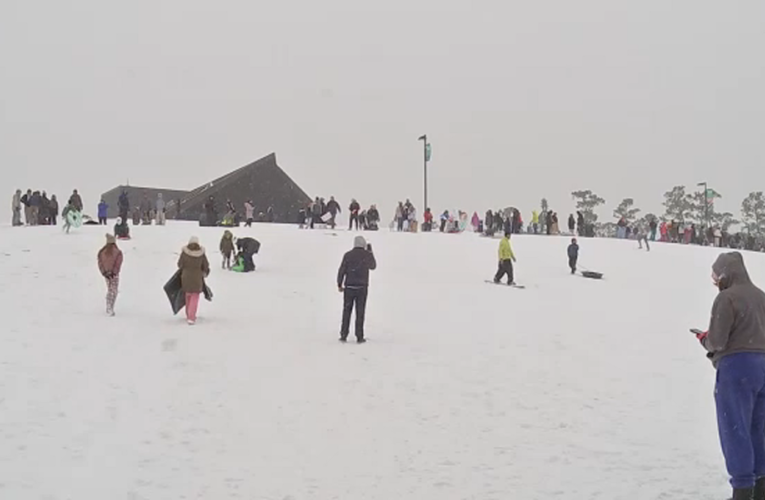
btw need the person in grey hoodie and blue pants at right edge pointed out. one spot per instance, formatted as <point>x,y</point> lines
<point>735,343</point>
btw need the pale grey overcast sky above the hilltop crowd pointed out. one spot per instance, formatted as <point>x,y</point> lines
<point>520,99</point>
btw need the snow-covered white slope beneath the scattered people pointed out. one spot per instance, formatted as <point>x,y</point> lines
<point>570,389</point>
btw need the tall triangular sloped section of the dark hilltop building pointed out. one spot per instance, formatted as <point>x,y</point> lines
<point>262,181</point>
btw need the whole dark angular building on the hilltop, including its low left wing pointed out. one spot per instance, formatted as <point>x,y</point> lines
<point>262,181</point>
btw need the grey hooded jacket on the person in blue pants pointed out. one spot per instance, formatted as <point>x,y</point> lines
<point>738,314</point>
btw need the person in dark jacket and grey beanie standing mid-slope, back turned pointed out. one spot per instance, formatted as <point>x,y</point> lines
<point>353,282</point>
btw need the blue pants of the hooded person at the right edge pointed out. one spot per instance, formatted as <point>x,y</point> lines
<point>740,400</point>
